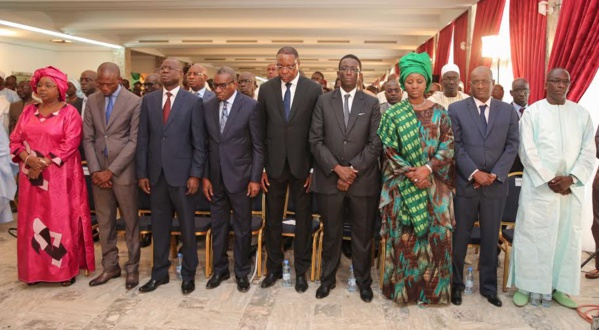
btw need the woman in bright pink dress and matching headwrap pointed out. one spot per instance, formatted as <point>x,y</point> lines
<point>54,226</point>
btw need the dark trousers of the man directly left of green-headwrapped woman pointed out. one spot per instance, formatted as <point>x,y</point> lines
<point>362,215</point>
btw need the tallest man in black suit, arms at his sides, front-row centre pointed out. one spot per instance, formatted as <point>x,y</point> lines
<point>287,102</point>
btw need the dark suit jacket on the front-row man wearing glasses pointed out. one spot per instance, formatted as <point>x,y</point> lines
<point>237,153</point>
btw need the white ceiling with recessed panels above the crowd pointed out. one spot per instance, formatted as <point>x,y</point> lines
<point>247,34</point>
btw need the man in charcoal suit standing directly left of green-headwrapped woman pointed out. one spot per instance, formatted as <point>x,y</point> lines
<point>346,147</point>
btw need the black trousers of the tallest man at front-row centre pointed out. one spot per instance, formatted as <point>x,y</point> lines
<point>275,203</point>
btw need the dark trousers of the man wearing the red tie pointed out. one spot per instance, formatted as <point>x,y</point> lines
<point>167,199</point>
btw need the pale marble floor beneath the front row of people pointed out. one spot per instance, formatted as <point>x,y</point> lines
<point>111,306</point>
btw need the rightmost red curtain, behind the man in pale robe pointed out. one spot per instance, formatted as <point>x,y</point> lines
<point>576,44</point>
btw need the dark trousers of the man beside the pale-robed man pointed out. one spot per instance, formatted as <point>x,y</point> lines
<point>489,212</point>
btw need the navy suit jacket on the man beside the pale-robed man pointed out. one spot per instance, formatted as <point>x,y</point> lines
<point>492,151</point>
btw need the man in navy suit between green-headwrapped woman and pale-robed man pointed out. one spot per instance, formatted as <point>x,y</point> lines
<point>486,142</point>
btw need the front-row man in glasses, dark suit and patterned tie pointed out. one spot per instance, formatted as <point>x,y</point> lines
<point>232,176</point>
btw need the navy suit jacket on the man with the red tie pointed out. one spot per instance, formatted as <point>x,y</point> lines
<point>175,148</point>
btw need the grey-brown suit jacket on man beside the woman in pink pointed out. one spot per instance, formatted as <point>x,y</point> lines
<point>118,136</point>
